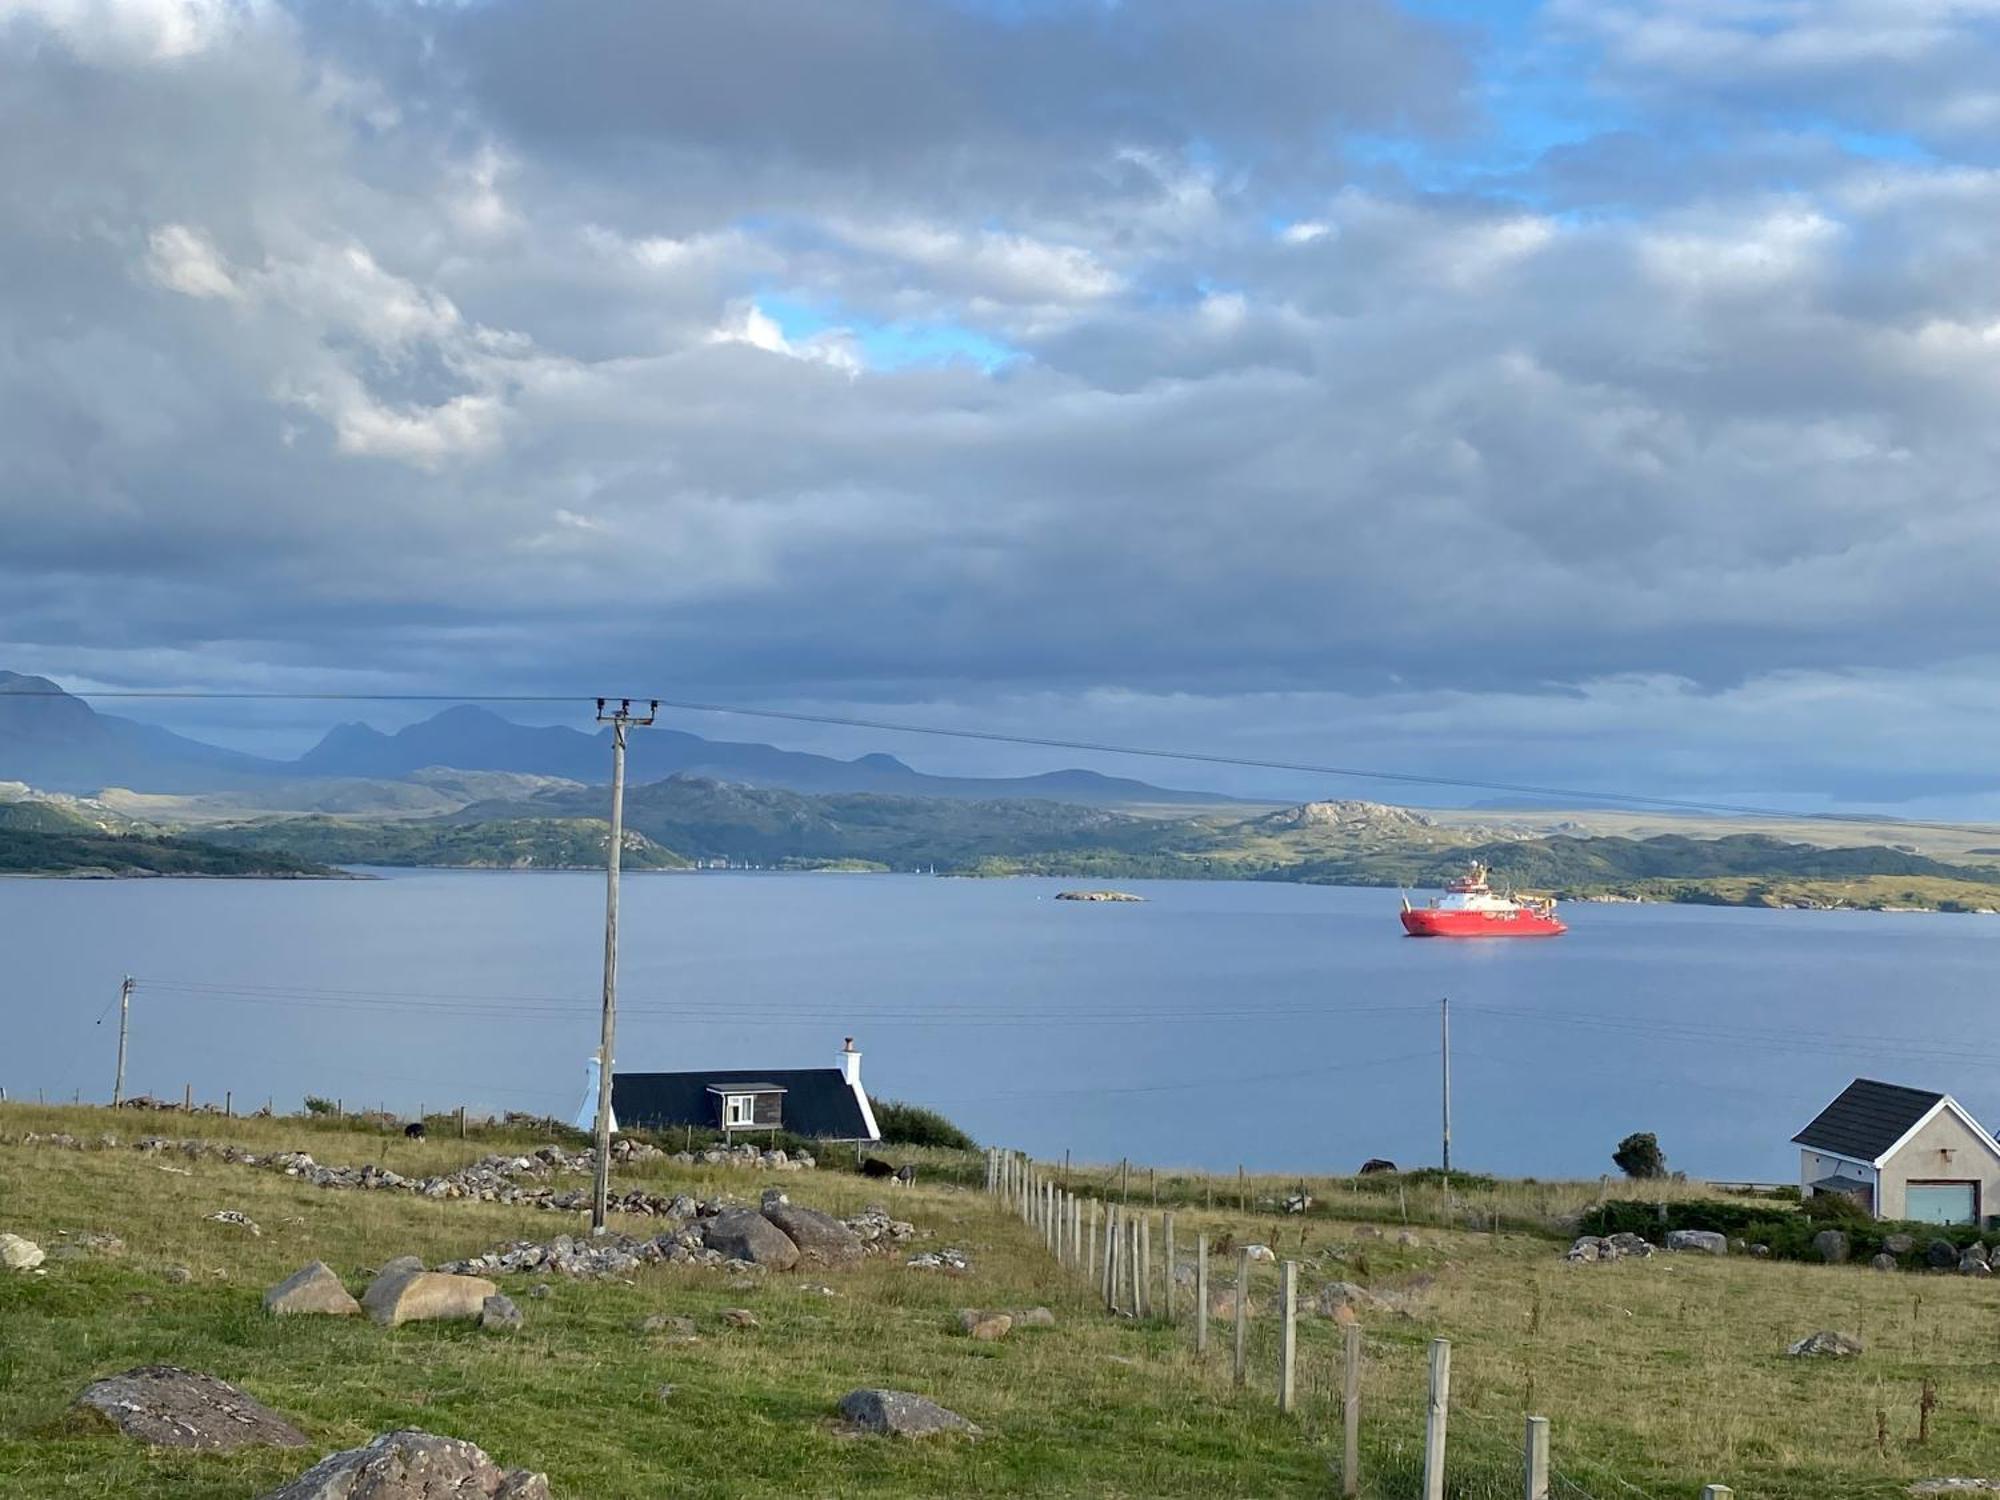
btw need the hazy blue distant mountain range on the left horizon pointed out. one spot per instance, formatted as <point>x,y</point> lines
<point>57,741</point>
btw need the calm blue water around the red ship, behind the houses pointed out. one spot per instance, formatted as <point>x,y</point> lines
<point>1283,1027</point>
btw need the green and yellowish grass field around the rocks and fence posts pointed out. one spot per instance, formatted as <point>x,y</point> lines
<point>1657,1377</point>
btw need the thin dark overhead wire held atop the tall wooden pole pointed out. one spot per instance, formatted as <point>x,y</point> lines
<point>1055,743</point>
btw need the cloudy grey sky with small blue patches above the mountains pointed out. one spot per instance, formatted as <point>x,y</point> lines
<point>1593,393</point>
